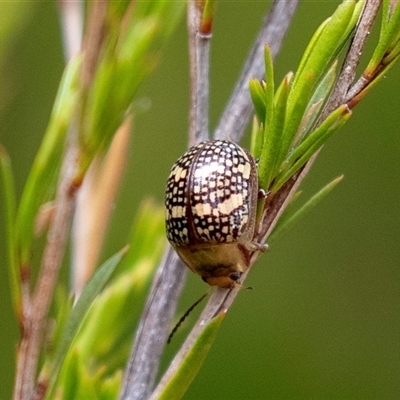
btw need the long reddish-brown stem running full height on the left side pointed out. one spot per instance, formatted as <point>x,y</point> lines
<point>35,313</point>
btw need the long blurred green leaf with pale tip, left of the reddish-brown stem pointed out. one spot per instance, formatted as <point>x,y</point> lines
<point>41,182</point>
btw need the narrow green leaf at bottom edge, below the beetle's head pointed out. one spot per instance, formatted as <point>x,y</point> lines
<point>191,364</point>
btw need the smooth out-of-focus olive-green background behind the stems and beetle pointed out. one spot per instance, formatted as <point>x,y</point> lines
<point>323,318</point>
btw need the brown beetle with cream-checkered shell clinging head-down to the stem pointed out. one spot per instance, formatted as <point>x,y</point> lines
<point>211,206</point>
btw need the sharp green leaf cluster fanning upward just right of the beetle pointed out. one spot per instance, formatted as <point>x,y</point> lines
<point>288,133</point>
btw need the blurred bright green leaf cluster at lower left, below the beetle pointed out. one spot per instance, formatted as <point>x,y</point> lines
<point>91,347</point>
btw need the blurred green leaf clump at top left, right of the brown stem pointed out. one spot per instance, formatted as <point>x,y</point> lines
<point>128,56</point>
